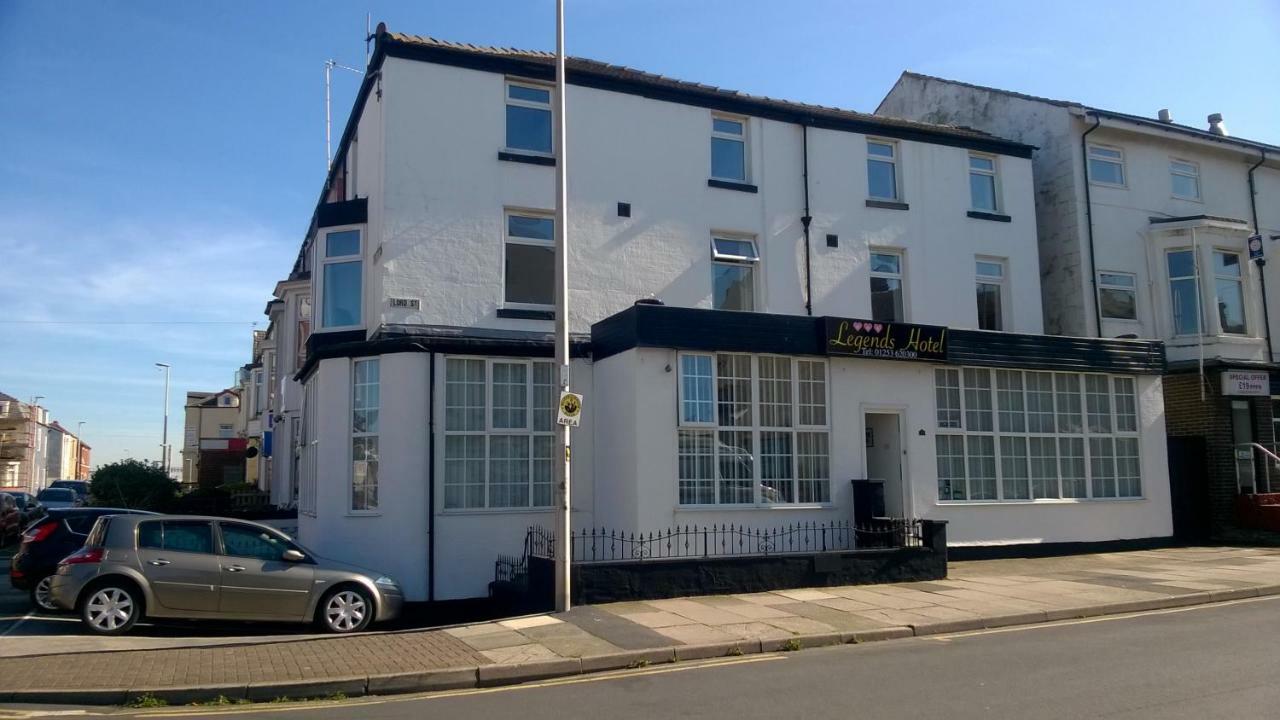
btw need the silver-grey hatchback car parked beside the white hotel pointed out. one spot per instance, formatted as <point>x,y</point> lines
<point>195,568</point>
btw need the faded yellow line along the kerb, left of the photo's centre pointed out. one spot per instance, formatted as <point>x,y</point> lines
<point>369,701</point>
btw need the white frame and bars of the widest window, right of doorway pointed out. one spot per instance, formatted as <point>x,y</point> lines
<point>1085,436</point>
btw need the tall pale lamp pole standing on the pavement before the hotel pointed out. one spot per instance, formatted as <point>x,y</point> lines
<point>563,466</point>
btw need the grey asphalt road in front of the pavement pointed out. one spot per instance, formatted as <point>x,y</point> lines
<point>1205,663</point>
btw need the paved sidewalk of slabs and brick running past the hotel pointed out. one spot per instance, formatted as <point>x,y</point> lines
<point>977,595</point>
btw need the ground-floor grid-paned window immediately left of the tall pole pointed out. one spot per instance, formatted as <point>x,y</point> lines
<point>499,434</point>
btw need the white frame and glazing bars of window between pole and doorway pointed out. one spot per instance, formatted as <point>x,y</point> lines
<point>756,430</point>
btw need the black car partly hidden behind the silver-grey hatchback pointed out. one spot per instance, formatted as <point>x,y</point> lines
<point>47,543</point>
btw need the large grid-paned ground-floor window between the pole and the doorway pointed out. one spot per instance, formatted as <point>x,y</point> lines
<point>755,430</point>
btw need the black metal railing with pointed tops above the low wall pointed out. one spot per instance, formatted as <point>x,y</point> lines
<point>602,545</point>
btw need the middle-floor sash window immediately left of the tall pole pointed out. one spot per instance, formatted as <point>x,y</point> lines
<point>529,261</point>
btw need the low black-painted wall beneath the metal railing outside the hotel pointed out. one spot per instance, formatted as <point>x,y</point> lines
<point>656,580</point>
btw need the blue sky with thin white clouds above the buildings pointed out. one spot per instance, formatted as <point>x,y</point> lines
<point>162,160</point>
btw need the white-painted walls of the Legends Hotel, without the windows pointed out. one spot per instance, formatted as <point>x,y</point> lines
<point>423,183</point>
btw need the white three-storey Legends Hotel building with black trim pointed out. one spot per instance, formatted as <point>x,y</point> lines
<point>776,236</point>
